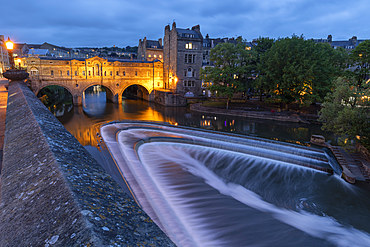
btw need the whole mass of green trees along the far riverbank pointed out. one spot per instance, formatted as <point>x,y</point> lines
<point>294,71</point>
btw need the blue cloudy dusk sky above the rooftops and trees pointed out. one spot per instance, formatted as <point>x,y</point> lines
<point>74,23</point>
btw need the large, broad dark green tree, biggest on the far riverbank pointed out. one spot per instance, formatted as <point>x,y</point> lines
<point>298,70</point>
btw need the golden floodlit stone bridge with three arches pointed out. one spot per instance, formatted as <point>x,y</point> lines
<point>76,75</point>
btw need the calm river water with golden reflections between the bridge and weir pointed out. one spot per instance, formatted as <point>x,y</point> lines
<point>83,122</point>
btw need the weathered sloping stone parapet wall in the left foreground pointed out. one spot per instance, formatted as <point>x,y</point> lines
<point>54,193</point>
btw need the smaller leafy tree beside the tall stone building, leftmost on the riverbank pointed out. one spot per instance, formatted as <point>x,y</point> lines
<point>231,71</point>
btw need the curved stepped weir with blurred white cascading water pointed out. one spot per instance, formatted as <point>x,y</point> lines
<point>210,189</point>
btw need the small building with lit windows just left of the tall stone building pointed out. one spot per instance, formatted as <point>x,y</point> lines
<point>150,50</point>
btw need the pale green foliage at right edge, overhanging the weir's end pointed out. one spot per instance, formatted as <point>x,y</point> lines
<point>346,111</point>
